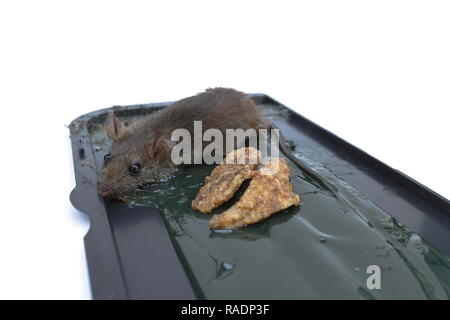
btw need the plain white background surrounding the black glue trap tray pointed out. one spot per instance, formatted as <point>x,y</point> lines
<point>376,73</point>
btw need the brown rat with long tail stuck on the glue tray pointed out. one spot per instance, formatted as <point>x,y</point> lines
<point>141,152</point>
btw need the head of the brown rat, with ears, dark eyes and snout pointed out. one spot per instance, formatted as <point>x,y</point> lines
<point>136,158</point>
